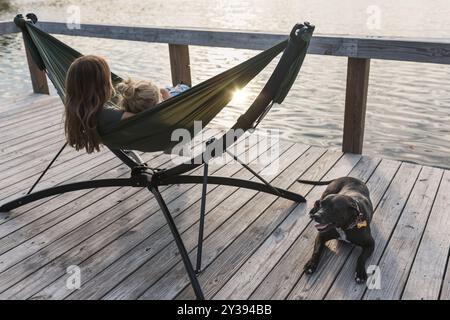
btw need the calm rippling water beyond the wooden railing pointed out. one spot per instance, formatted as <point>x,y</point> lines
<point>408,112</point>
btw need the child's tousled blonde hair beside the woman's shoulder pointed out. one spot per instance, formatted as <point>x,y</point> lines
<point>138,95</point>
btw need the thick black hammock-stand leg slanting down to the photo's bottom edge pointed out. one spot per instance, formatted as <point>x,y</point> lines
<point>179,242</point>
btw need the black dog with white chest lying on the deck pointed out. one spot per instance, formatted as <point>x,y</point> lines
<point>343,212</point>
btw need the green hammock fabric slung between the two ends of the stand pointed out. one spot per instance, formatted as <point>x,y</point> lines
<point>151,129</point>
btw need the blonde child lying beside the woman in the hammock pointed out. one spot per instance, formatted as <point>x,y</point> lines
<point>137,96</point>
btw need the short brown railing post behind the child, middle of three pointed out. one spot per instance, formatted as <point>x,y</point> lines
<point>179,64</point>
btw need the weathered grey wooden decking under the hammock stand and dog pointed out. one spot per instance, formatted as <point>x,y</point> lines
<point>255,244</point>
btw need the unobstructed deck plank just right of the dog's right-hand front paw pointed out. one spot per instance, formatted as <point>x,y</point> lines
<point>398,256</point>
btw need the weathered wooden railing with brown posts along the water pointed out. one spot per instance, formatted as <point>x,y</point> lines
<point>359,51</point>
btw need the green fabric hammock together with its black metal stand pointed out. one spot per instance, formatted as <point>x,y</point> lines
<point>151,129</point>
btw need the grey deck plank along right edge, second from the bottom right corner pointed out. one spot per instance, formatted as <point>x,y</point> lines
<point>428,270</point>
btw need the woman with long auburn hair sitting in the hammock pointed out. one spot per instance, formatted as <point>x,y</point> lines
<point>88,89</point>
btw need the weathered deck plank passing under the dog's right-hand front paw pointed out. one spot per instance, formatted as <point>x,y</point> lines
<point>384,220</point>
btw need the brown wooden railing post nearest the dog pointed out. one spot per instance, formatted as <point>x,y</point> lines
<point>355,104</point>
